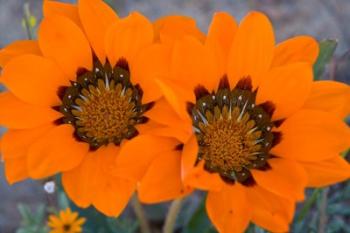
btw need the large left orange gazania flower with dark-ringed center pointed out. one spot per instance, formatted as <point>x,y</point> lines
<point>77,99</point>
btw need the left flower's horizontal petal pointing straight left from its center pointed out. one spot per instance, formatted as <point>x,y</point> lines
<point>16,114</point>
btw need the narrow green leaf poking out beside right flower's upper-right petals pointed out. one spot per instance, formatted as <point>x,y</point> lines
<point>327,48</point>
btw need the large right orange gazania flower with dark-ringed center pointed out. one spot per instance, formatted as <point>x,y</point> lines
<point>256,129</point>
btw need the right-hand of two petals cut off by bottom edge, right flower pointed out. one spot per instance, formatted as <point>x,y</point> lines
<point>270,211</point>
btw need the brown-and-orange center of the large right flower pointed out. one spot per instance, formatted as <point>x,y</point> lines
<point>233,133</point>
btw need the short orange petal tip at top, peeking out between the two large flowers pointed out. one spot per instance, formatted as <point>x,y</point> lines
<point>168,29</point>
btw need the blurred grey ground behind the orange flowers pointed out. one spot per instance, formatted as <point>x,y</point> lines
<point>323,19</point>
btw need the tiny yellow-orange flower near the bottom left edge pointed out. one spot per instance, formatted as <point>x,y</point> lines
<point>66,222</point>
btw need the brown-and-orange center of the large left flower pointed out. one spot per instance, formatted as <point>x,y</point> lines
<point>103,105</point>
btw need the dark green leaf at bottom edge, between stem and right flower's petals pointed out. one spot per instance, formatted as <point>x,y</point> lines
<point>199,221</point>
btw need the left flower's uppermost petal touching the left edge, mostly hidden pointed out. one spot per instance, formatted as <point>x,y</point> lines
<point>18,48</point>
